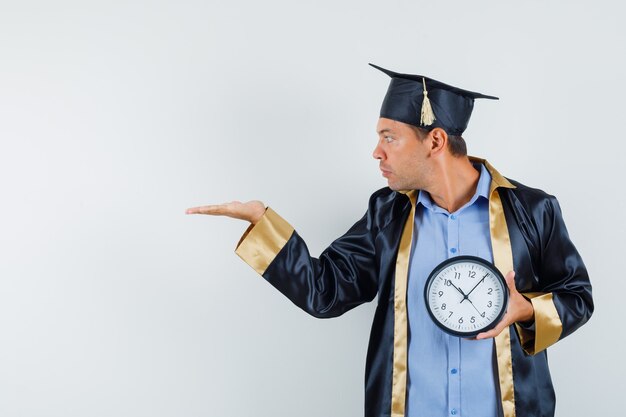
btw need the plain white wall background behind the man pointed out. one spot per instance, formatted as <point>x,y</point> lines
<point>115,116</point>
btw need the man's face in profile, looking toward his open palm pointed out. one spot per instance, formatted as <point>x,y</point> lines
<point>402,157</point>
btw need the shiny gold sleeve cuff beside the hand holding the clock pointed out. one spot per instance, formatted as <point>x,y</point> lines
<point>548,325</point>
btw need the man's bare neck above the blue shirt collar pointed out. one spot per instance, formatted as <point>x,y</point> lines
<point>457,182</point>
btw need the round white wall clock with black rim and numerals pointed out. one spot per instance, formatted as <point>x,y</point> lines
<point>466,295</point>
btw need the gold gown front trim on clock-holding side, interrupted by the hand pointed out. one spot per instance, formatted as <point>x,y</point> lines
<point>503,258</point>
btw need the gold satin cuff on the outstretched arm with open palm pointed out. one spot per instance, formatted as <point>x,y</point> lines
<point>261,242</point>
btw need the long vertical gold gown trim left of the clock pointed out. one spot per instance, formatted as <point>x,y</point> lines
<point>400,322</point>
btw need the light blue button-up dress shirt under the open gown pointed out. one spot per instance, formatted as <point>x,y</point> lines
<point>448,375</point>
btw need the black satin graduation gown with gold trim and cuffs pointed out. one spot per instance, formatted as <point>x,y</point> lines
<point>371,259</point>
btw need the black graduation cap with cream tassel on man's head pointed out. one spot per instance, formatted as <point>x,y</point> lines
<point>423,102</point>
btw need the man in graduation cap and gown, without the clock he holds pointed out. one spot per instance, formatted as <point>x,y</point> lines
<point>440,203</point>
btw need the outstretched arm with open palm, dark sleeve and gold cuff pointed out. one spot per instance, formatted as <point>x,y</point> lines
<point>344,276</point>
